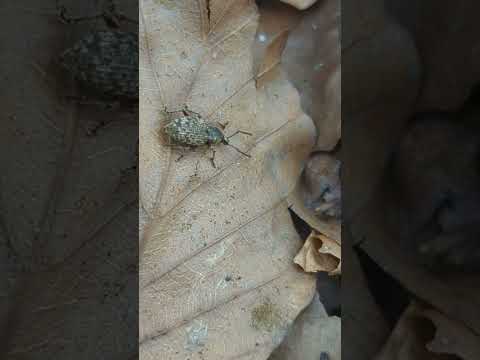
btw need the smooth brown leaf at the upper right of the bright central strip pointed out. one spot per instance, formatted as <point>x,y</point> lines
<point>312,61</point>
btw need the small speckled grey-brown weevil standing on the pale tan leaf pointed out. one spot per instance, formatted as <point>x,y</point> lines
<point>191,130</point>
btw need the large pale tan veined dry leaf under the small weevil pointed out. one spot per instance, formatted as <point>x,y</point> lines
<point>216,277</point>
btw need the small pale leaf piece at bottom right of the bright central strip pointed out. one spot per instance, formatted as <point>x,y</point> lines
<point>313,333</point>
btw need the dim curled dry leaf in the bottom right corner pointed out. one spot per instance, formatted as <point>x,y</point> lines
<point>425,333</point>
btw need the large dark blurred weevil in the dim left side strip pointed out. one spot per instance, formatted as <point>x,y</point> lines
<point>103,62</point>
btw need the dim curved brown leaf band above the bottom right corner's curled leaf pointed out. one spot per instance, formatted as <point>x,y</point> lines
<point>376,232</point>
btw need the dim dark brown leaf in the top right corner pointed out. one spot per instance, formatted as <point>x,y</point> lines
<point>445,33</point>
